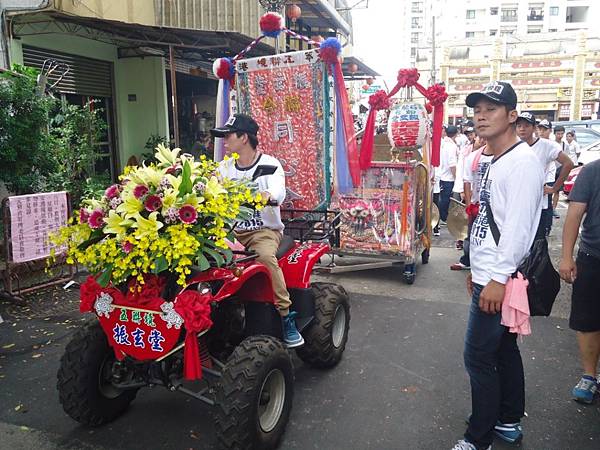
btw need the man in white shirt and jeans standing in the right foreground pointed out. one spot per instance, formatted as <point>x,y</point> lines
<point>512,190</point>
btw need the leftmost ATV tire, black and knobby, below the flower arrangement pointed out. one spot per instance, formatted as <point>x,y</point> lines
<point>84,392</point>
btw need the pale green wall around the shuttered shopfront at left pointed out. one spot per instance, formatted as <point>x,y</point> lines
<point>142,77</point>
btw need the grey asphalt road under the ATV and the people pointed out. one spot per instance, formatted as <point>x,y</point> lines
<point>400,385</point>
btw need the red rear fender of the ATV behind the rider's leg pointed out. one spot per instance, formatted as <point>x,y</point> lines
<point>298,262</point>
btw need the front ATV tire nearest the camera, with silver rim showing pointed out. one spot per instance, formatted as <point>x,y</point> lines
<point>254,395</point>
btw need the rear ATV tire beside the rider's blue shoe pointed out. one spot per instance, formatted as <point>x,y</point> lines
<point>324,340</point>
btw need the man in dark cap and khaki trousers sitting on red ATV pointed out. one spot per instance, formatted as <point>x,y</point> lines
<point>264,231</point>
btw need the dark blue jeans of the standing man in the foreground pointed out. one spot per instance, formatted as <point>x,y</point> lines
<point>493,361</point>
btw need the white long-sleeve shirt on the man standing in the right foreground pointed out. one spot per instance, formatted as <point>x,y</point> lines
<point>513,186</point>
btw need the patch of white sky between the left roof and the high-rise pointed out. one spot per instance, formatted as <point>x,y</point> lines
<point>376,37</point>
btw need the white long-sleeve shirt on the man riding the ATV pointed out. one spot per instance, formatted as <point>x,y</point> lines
<point>269,216</point>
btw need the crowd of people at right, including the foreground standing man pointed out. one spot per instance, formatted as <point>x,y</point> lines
<point>508,169</point>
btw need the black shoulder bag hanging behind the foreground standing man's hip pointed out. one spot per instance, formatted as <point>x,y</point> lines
<point>537,268</point>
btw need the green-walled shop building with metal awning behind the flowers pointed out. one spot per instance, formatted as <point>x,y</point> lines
<point>120,55</point>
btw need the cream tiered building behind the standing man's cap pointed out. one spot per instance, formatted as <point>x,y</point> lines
<point>556,75</point>
